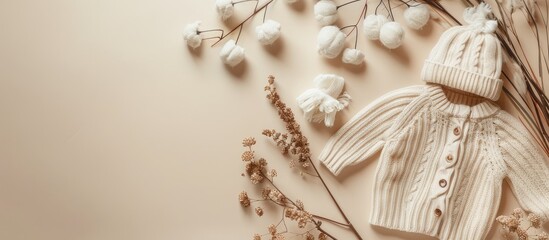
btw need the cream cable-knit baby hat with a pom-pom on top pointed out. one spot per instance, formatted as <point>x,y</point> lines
<point>468,58</point>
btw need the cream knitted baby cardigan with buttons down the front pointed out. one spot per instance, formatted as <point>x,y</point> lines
<point>443,162</point>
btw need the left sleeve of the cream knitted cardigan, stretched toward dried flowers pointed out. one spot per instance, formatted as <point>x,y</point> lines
<point>363,135</point>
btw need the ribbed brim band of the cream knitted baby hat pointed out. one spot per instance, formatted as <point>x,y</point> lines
<point>461,79</point>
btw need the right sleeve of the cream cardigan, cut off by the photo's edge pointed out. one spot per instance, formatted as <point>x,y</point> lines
<point>527,166</point>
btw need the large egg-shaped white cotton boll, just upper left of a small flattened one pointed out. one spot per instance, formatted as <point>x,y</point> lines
<point>330,41</point>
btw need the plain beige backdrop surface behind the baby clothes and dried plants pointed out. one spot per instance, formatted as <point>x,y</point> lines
<point>111,128</point>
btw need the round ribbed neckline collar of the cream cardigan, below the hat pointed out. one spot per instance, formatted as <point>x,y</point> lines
<point>461,104</point>
